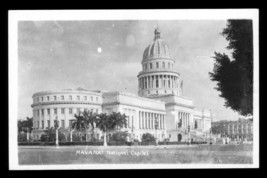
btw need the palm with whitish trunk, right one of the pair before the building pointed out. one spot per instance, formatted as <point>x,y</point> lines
<point>109,122</point>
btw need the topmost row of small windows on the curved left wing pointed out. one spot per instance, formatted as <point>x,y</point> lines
<point>63,97</point>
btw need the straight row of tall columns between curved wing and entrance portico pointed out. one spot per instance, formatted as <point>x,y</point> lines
<point>147,120</point>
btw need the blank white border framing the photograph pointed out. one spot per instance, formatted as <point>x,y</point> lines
<point>204,14</point>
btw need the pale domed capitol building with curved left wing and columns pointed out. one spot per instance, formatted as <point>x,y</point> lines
<point>160,96</point>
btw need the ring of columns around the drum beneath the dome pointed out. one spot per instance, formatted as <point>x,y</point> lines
<point>158,81</point>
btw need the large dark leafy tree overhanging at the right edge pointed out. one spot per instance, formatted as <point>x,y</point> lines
<point>235,77</point>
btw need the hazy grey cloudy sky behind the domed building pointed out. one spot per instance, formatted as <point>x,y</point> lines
<point>107,55</point>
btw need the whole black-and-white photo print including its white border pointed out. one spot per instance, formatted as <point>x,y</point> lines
<point>133,89</point>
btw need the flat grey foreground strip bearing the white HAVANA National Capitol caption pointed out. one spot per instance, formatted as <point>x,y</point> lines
<point>222,154</point>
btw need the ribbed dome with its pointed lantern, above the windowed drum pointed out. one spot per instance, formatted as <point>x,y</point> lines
<point>158,49</point>
